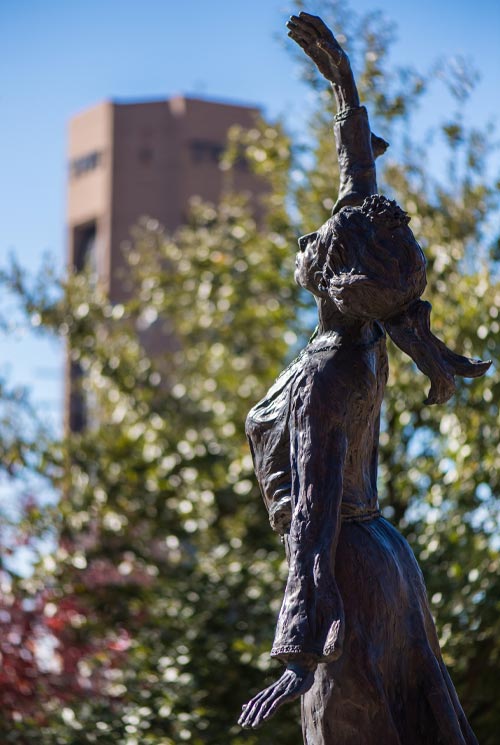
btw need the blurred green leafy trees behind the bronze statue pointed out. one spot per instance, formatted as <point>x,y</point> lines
<point>161,591</point>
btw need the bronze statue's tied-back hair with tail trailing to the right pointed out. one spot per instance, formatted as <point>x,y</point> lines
<point>371,267</point>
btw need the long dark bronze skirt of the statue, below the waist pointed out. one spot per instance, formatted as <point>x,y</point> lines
<point>390,685</point>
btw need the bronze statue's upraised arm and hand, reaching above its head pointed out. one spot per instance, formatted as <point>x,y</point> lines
<point>357,146</point>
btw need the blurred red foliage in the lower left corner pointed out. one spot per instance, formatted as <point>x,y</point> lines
<point>41,650</point>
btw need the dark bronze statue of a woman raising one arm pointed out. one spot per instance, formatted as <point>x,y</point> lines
<point>355,631</point>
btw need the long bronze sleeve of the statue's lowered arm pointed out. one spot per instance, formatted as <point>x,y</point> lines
<point>311,621</point>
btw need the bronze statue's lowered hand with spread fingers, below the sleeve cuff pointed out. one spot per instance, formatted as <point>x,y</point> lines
<point>294,682</point>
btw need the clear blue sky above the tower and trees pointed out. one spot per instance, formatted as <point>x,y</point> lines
<point>61,56</point>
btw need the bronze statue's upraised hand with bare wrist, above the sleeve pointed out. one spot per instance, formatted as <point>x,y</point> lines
<point>318,42</point>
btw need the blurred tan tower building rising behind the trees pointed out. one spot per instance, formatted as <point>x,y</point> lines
<point>135,159</point>
